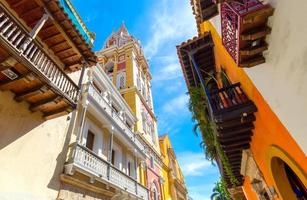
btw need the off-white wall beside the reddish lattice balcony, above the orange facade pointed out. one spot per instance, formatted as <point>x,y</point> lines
<point>282,80</point>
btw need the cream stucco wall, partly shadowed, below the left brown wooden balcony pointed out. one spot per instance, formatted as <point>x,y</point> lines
<point>31,151</point>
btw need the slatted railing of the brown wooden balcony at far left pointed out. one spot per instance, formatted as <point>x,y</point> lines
<point>38,61</point>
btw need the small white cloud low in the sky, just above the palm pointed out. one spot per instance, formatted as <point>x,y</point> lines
<point>194,164</point>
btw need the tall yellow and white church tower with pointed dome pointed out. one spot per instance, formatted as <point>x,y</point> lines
<point>124,62</point>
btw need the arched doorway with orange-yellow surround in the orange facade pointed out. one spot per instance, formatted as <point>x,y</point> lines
<point>290,180</point>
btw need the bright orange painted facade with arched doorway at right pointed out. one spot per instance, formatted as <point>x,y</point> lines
<point>269,151</point>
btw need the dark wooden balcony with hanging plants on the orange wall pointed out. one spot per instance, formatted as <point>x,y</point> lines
<point>233,113</point>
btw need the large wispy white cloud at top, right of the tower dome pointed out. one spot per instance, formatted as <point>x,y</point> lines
<point>172,20</point>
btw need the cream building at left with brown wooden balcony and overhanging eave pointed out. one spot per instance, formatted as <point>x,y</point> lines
<point>44,44</point>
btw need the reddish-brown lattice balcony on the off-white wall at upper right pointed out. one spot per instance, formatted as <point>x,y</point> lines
<point>244,30</point>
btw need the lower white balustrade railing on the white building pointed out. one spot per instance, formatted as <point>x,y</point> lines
<point>90,162</point>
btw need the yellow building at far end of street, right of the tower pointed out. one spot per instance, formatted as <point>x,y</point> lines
<point>174,187</point>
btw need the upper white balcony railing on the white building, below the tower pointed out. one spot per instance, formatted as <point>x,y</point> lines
<point>115,116</point>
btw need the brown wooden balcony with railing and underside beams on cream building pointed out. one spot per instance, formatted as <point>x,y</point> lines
<point>31,73</point>
